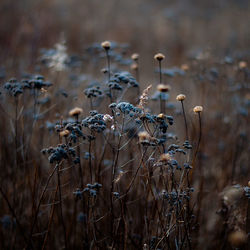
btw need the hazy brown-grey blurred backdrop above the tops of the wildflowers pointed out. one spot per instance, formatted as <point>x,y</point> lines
<point>178,28</point>
